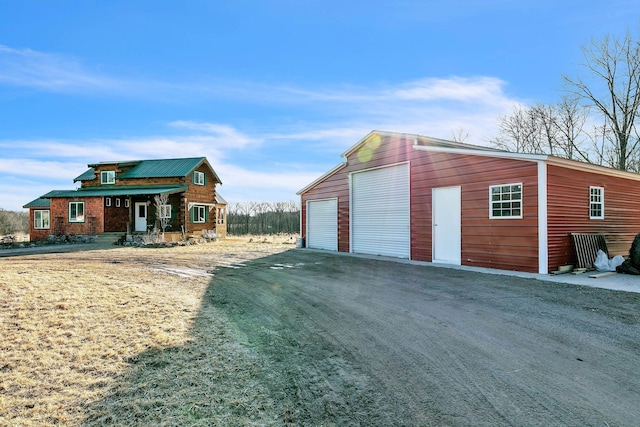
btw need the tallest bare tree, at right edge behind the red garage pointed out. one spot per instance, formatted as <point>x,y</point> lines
<point>612,87</point>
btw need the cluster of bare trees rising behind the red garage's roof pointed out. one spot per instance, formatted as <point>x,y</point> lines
<point>595,120</point>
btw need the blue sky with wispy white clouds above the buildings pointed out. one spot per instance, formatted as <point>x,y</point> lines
<point>270,91</point>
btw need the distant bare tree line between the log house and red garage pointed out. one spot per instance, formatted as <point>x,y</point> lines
<point>263,218</point>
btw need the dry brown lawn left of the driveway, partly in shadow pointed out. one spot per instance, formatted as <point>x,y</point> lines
<point>118,336</point>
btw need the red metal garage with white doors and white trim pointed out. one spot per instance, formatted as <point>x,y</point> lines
<point>428,199</point>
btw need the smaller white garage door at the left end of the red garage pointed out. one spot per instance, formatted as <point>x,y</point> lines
<point>322,224</point>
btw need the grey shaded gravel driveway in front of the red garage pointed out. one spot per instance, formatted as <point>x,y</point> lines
<point>357,341</point>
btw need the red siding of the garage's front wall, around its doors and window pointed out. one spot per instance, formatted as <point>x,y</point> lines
<point>505,243</point>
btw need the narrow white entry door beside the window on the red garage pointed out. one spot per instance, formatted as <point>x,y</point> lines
<point>446,225</point>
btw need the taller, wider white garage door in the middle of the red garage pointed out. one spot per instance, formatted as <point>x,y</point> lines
<point>380,220</point>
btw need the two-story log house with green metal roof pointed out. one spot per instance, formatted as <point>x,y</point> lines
<point>120,197</point>
